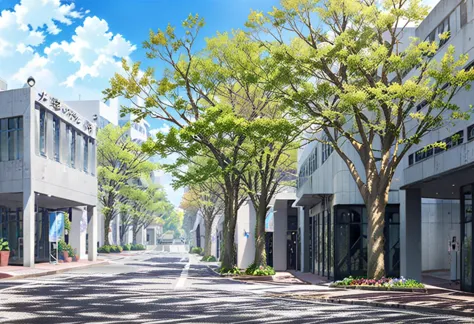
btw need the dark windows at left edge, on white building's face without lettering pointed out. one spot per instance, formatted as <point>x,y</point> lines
<point>11,139</point>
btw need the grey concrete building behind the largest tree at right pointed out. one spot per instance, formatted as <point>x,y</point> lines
<point>430,200</point>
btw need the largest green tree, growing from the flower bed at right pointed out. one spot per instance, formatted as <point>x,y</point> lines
<point>344,66</point>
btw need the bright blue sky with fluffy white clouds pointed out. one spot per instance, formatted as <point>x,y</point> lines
<point>73,47</point>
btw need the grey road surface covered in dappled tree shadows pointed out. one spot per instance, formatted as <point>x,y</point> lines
<point>143,296</point>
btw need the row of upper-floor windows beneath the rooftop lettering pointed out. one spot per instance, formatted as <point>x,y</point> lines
<point>76,146</point>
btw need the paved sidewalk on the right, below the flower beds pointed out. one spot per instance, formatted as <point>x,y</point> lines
<point>436,300</point>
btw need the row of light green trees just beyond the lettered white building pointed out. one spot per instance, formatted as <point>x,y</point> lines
<point>125,188</point>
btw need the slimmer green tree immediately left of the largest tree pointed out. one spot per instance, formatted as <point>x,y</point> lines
<point>272,152</point>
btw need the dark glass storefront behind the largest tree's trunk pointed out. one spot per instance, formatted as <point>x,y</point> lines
<point>338,241</point>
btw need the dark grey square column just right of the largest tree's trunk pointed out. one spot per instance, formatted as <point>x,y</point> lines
<point>410,234</point>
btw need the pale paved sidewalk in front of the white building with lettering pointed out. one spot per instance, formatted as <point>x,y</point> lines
<point>44,269</point>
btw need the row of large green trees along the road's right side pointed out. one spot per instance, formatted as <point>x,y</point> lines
<point>339,67</point>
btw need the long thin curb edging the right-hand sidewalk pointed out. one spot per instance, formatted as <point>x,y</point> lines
<point>423,309</point>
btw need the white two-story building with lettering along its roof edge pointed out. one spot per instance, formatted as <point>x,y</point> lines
<point>47,164</point>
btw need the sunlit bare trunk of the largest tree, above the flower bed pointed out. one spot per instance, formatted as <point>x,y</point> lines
<point>376,240</point>
